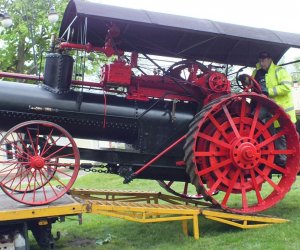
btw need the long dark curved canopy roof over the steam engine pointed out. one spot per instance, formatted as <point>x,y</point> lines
<point>175,36</point>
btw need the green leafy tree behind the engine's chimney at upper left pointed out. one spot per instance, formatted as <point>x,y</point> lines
<point>24,43</point>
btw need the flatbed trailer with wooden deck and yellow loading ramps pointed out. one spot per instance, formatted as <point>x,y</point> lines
<point>17,219</point>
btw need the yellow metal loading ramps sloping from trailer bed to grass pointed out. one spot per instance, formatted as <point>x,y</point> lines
<point>146,207</point>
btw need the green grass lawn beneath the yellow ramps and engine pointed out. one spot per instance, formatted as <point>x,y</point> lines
<point>124,234</point>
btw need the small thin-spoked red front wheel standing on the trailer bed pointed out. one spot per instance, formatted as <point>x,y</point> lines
<point>39,162</point>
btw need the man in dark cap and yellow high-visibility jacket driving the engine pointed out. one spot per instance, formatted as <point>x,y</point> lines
<point>276,83</point>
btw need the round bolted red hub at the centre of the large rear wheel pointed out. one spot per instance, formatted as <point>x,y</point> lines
<point>245,154</point>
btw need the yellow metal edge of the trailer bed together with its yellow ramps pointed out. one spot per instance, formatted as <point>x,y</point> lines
<point>144,207</point>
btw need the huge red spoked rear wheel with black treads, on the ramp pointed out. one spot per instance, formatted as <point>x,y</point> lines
<point>231,147</point>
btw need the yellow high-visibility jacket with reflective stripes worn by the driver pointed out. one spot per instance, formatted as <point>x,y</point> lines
<point>279,86</point>
